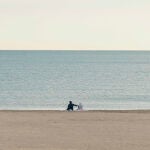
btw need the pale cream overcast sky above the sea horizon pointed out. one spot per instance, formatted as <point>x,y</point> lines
<point>75,24</point>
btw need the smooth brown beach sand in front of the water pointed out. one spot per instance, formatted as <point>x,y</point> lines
<point>60,130</point>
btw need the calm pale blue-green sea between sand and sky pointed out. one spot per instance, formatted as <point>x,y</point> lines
<point>100,80</point>
